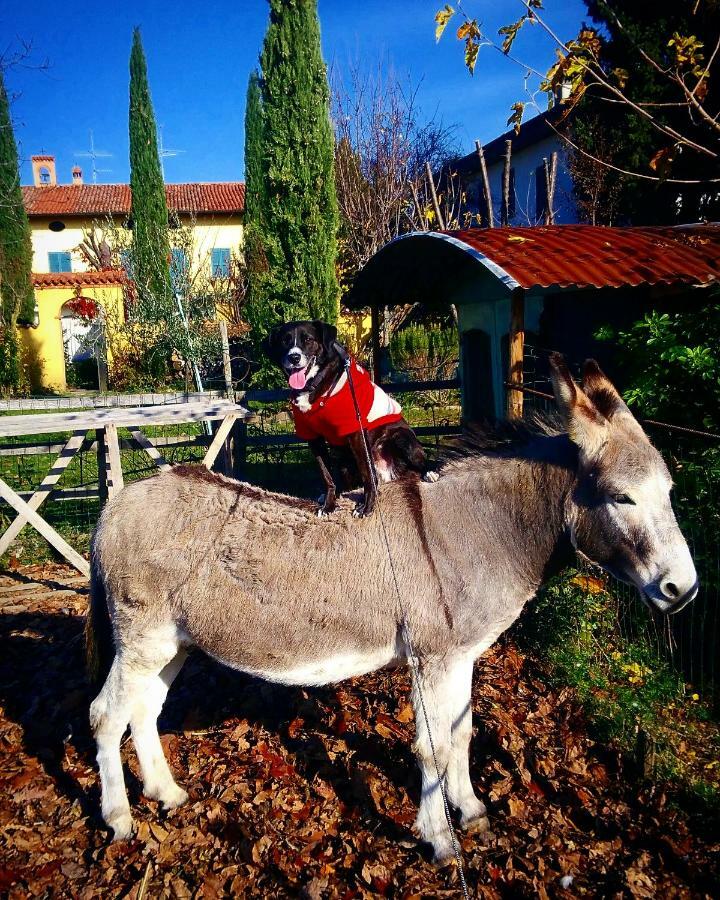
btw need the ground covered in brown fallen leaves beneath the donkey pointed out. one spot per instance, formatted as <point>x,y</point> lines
<point>312,793</point>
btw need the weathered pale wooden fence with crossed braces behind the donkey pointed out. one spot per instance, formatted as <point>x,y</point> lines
<point>93,429</point>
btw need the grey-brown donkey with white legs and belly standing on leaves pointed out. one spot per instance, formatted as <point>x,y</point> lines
<point>252,578</point>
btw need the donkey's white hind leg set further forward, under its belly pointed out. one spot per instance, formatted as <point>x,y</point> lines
<point>158,782</point>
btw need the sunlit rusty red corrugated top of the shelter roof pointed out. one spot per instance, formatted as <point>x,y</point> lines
<point>593,256</point>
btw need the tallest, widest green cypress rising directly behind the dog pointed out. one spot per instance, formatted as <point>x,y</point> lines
<point>298,206</point>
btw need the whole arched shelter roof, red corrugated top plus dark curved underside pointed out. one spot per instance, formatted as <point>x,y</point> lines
<point>424,266</point>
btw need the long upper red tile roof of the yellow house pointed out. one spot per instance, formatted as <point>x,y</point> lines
<point>104,199</point>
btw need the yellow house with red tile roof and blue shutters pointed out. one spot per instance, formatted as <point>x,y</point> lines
<point>62,216</point>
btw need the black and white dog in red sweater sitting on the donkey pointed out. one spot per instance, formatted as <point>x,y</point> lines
<point>324,413</point>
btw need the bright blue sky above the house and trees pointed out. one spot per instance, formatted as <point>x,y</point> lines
<point>201,53</point>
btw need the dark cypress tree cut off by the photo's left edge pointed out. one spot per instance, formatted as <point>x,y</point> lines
<point>17,299</point>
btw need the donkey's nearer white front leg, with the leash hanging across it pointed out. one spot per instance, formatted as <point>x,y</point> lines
<point>432,695</point>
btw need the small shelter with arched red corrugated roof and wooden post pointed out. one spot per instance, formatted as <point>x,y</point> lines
<point>554,285</point>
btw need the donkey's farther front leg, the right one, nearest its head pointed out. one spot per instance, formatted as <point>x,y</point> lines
<point>473,814</point>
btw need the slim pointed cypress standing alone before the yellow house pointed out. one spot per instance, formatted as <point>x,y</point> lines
<point>151,249</point>
